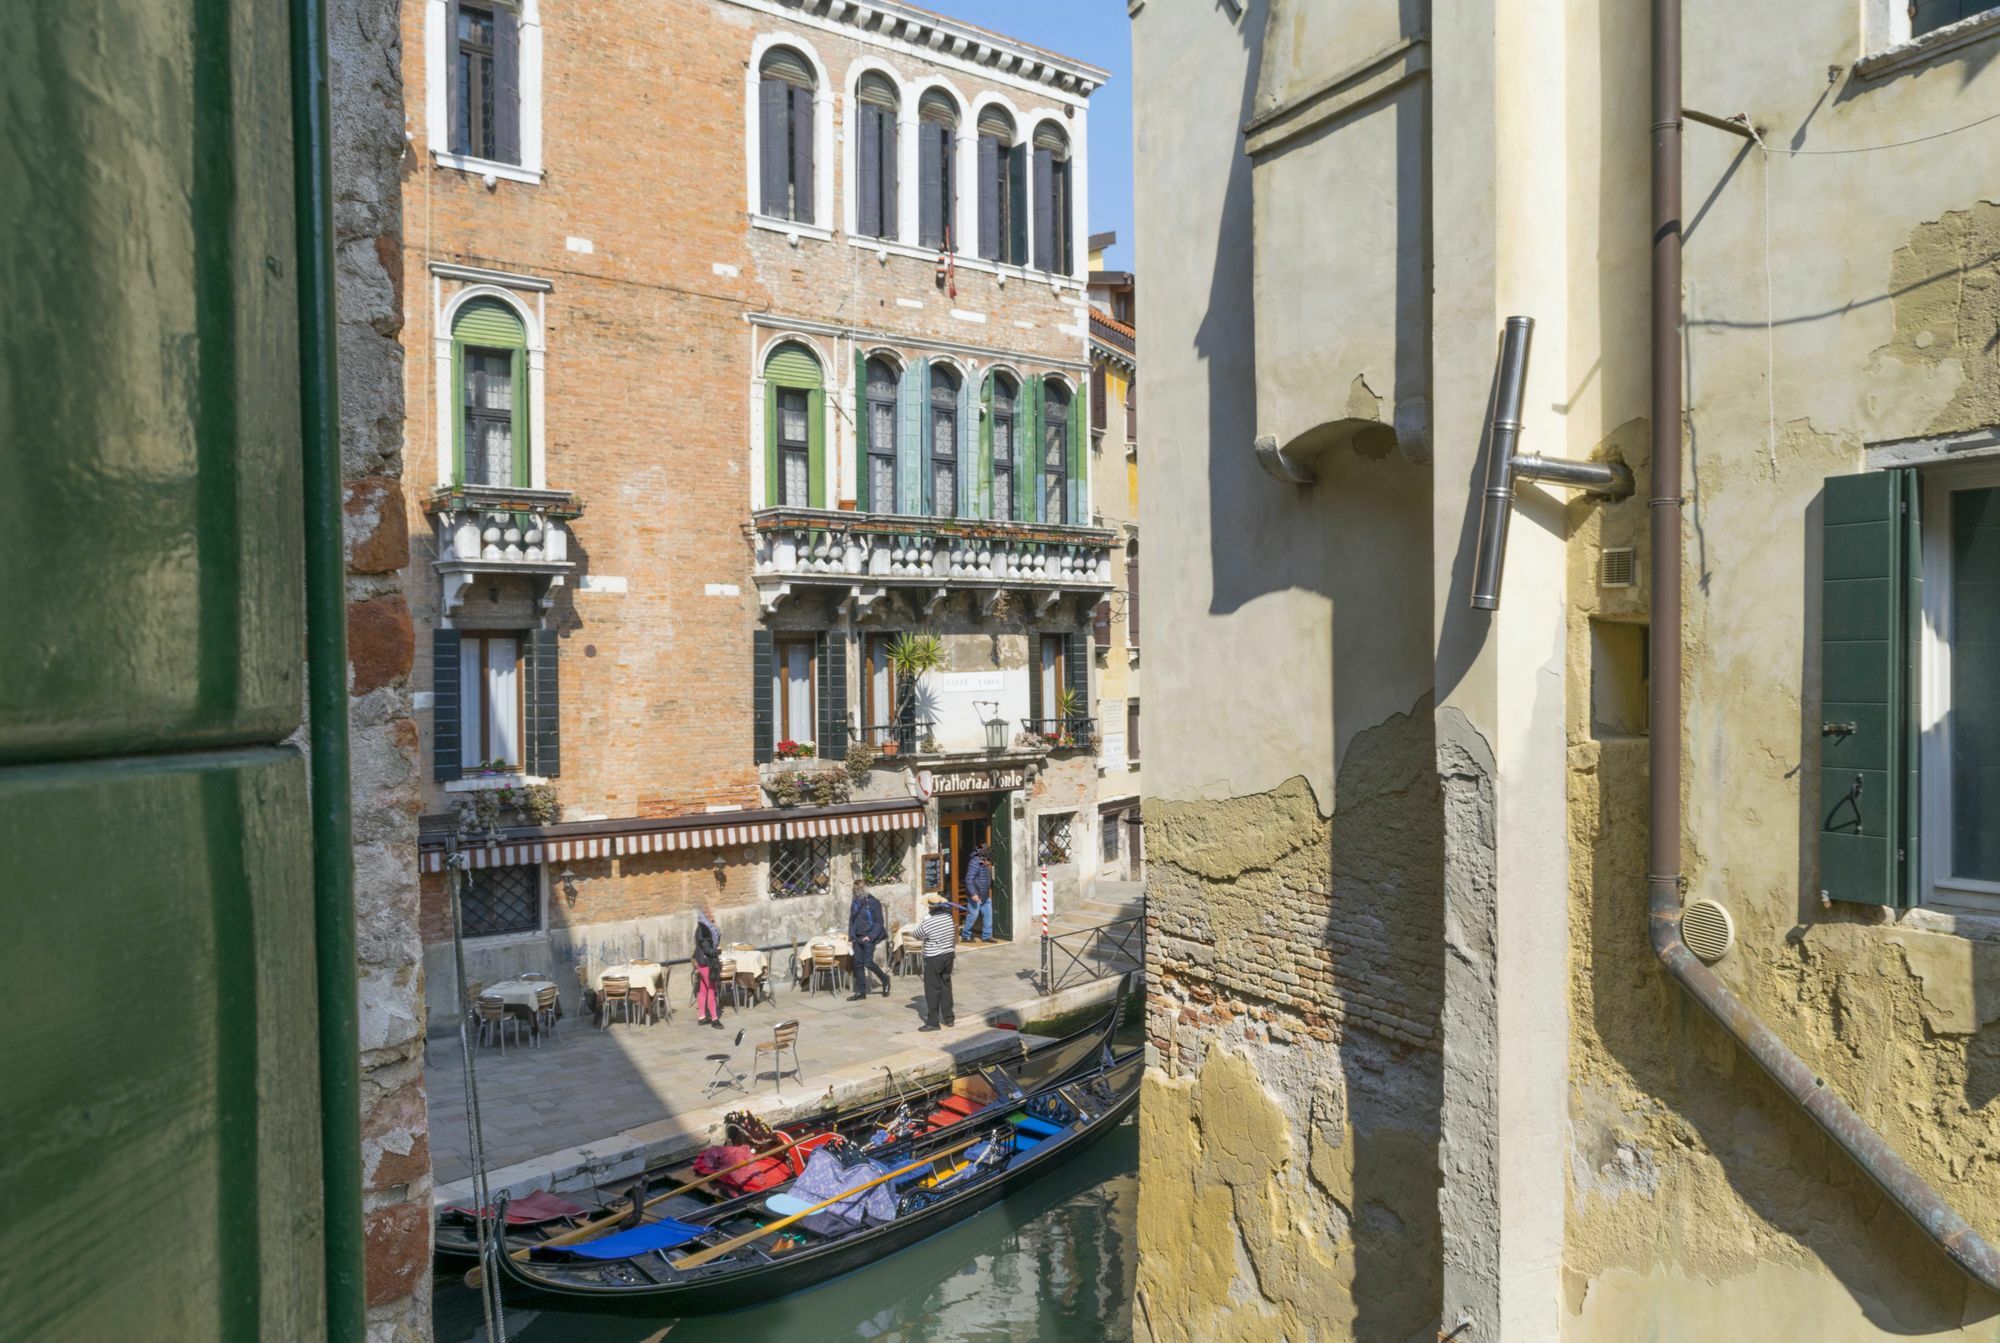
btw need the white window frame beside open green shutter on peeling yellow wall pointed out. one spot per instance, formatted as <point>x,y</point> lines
<point>1935,692</point>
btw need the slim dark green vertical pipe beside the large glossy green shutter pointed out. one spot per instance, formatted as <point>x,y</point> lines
<point>327,678</point>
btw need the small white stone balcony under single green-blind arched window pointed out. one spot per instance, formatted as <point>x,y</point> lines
<point>501,531</point>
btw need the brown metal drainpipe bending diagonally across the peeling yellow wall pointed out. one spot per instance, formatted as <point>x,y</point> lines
<point>1909,1190</point>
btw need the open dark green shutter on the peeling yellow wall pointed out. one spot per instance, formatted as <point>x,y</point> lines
<point>1867,688</point>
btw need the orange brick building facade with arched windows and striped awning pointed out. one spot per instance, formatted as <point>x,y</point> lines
<point>655,267</point>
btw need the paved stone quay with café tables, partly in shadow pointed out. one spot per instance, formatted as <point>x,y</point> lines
<point>593,1106</point>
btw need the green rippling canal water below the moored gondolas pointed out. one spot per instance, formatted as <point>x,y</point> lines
<point>1051,1264</point>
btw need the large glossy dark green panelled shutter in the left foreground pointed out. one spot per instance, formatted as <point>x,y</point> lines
<point>161,1108</point>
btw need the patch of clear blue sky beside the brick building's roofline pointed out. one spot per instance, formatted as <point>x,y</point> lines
<point>1097,33</point>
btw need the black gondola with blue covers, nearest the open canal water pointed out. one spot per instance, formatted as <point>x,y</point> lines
<point>741,1254</point>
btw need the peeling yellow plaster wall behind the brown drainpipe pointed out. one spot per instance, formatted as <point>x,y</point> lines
<point>1701,1202</point>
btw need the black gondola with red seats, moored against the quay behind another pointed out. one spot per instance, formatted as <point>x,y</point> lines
<point>545,1216</point>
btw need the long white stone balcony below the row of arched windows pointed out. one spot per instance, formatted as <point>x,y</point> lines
<point>869,555</point>
